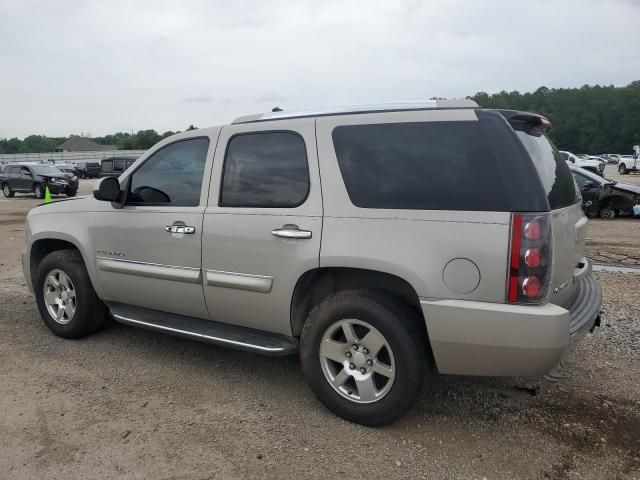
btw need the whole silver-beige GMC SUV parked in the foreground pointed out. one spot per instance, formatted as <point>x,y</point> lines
<point>382,242</point>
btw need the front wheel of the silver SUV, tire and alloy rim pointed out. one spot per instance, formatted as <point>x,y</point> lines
<point>84,312</point>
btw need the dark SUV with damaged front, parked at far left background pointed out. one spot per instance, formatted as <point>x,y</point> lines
<point>36,178</point>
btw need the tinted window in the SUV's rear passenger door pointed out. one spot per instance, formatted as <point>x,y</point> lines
<point>267,169</point>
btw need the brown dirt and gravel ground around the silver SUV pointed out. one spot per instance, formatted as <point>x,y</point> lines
<point>128,403</point>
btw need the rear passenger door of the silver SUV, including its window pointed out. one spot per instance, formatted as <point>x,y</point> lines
<point>263,223</point>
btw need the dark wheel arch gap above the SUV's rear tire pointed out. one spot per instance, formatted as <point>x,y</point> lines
<point>314,285</point>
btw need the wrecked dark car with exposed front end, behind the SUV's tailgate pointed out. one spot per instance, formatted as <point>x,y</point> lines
<point>603,197</point>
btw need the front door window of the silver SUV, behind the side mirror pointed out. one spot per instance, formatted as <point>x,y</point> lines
<point>172,176</point>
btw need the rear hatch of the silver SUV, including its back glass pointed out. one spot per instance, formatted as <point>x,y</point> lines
<point>568,223</point>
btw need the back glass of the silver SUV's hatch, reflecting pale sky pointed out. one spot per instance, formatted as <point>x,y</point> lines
<point>552,168</point>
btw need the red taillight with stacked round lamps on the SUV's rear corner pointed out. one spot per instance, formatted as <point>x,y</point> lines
<point>529,258</point>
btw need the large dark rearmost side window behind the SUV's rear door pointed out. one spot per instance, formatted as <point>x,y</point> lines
<point>426,166</point>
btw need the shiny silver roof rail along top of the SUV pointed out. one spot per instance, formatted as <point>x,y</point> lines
<point>364,108</point>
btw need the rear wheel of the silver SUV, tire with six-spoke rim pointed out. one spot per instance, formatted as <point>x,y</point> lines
<point>405,350</point>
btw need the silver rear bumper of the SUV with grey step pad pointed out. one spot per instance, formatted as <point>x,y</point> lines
<point>477,338</point>
